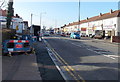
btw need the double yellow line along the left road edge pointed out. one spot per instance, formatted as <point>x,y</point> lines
<point>67,67</point>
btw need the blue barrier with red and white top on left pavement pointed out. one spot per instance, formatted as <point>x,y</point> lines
<point>12,46</point>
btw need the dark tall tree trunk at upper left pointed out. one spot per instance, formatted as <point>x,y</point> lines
<point>10,13</point>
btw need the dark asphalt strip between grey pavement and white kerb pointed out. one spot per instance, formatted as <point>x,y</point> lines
<point>47,68</point>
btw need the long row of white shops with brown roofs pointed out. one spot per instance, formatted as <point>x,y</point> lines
<point>107,25</point>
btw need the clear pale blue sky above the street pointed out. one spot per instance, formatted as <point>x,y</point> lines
<point>56,14</point>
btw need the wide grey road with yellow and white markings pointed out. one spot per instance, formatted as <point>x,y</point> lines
<point>84,59</point>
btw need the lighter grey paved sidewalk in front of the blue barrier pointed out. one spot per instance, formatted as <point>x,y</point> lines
<point>20,67</point>
